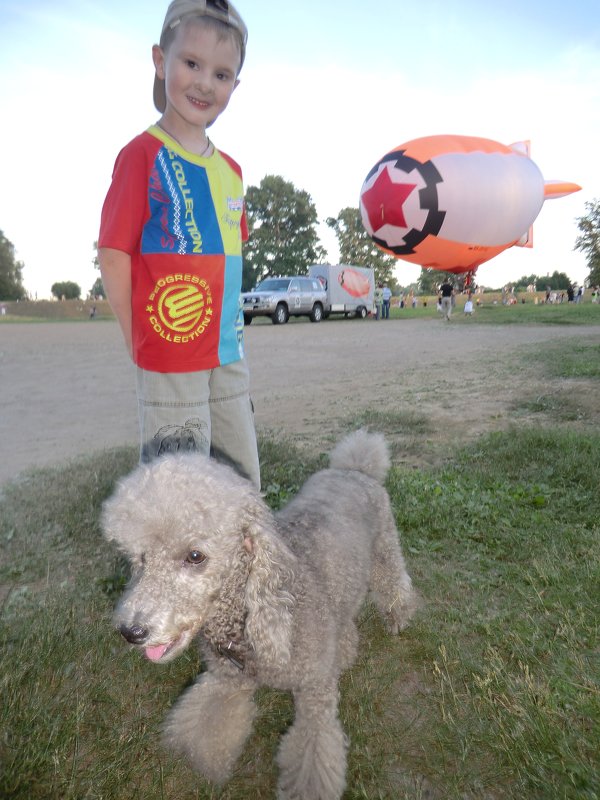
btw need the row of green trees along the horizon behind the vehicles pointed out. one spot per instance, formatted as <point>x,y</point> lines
<point>284,240</point>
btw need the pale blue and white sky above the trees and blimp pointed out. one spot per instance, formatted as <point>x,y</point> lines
<point>326,90</point>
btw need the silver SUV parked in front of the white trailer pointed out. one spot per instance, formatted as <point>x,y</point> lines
<point>285,297</point>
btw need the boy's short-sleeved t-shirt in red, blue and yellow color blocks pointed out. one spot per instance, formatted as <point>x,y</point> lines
<point>181,217</point>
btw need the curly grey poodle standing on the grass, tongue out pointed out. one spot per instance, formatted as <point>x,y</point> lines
<point>273,598</point>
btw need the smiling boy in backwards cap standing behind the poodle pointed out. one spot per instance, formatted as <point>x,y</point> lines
<point>170,243</point>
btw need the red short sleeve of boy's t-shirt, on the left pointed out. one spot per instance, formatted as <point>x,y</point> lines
<point>125,208</point>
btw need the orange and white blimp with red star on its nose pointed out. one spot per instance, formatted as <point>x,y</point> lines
<point>453,202</point>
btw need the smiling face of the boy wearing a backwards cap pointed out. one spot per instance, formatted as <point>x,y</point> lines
<point>199,70</point>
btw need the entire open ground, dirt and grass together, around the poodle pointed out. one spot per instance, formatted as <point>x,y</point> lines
<point>492,693</point>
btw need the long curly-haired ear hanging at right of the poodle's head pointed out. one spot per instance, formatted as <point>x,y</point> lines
<point>269,590</point>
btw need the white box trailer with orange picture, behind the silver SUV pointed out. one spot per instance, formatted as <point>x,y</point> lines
<point>349,289</point>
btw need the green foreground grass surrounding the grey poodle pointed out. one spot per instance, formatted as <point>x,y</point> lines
<point>491,693</point>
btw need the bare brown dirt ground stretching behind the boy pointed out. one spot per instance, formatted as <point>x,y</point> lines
<point>68,388</point>
